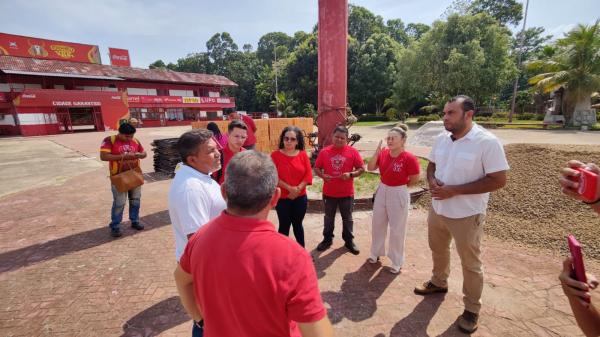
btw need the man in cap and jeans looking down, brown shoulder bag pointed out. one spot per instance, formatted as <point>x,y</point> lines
<point>123,152</point>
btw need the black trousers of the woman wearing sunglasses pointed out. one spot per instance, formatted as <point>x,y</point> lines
<point>291,213</point>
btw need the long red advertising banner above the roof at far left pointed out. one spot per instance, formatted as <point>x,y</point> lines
<point>23,46</point>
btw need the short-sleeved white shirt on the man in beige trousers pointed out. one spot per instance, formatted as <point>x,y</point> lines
<point>463,161</point>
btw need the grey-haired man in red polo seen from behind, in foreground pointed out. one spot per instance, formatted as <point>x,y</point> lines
<point>240,275</point>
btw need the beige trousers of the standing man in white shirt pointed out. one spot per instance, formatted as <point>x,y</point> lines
<point>467,233</point>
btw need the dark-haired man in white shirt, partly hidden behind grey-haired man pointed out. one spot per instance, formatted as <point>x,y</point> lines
<point>194,197</point>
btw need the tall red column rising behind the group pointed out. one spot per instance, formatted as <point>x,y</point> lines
<point>333,64</point>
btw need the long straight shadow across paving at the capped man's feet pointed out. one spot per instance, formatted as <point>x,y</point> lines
<point>33,254</point>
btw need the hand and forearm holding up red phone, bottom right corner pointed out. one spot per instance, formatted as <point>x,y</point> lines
<point>585,313</point>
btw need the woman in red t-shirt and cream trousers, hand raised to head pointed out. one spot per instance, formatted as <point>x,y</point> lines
<point>399,169</point>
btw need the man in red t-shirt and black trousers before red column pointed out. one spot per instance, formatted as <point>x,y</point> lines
<point>338,165</point>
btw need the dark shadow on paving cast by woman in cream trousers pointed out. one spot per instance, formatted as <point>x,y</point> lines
<point>357,298</point>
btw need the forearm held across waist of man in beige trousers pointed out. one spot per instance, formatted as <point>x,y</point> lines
<point>489,183</point>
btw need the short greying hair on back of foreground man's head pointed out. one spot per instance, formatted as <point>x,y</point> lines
<point>250,182</point>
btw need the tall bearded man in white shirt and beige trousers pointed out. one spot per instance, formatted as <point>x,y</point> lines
<point>465,165</point>
